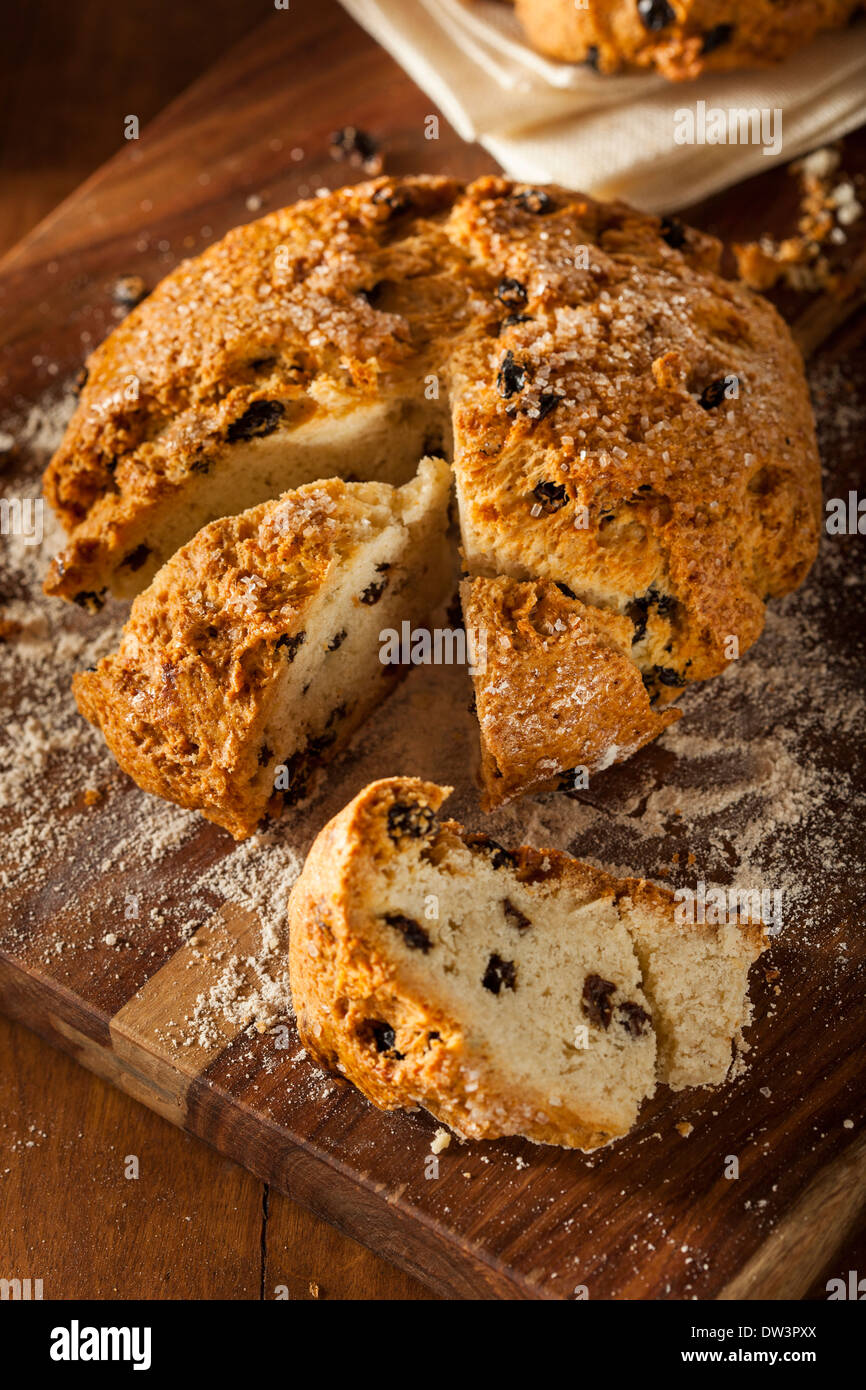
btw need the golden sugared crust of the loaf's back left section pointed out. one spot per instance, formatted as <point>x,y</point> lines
<point>272,319</point>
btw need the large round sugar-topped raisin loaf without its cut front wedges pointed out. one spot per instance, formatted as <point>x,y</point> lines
<point>623,422</point>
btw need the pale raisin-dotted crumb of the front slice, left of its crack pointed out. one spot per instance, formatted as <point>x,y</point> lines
<point>509,964</point>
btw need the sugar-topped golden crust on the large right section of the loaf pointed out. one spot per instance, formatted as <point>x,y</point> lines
<point>647,432</point>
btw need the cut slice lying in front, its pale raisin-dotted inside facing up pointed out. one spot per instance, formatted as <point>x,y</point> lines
<point>507,993</point>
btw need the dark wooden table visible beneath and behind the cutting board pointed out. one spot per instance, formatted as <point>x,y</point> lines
<point>194,1225</point>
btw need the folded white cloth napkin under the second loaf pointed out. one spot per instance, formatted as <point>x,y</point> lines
<point>559,123</point>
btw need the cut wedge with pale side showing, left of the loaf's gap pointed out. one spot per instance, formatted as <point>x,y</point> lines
<point>255,654</point>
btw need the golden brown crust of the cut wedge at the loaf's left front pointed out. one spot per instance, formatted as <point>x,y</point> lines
<point>183,703</point>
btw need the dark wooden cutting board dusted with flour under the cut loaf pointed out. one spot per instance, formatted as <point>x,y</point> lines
<point>781,790</point>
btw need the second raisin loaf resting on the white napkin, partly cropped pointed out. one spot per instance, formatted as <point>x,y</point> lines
<point>679,38</point>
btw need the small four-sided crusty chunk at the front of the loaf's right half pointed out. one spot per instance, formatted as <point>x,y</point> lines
<point>594,708</point>
